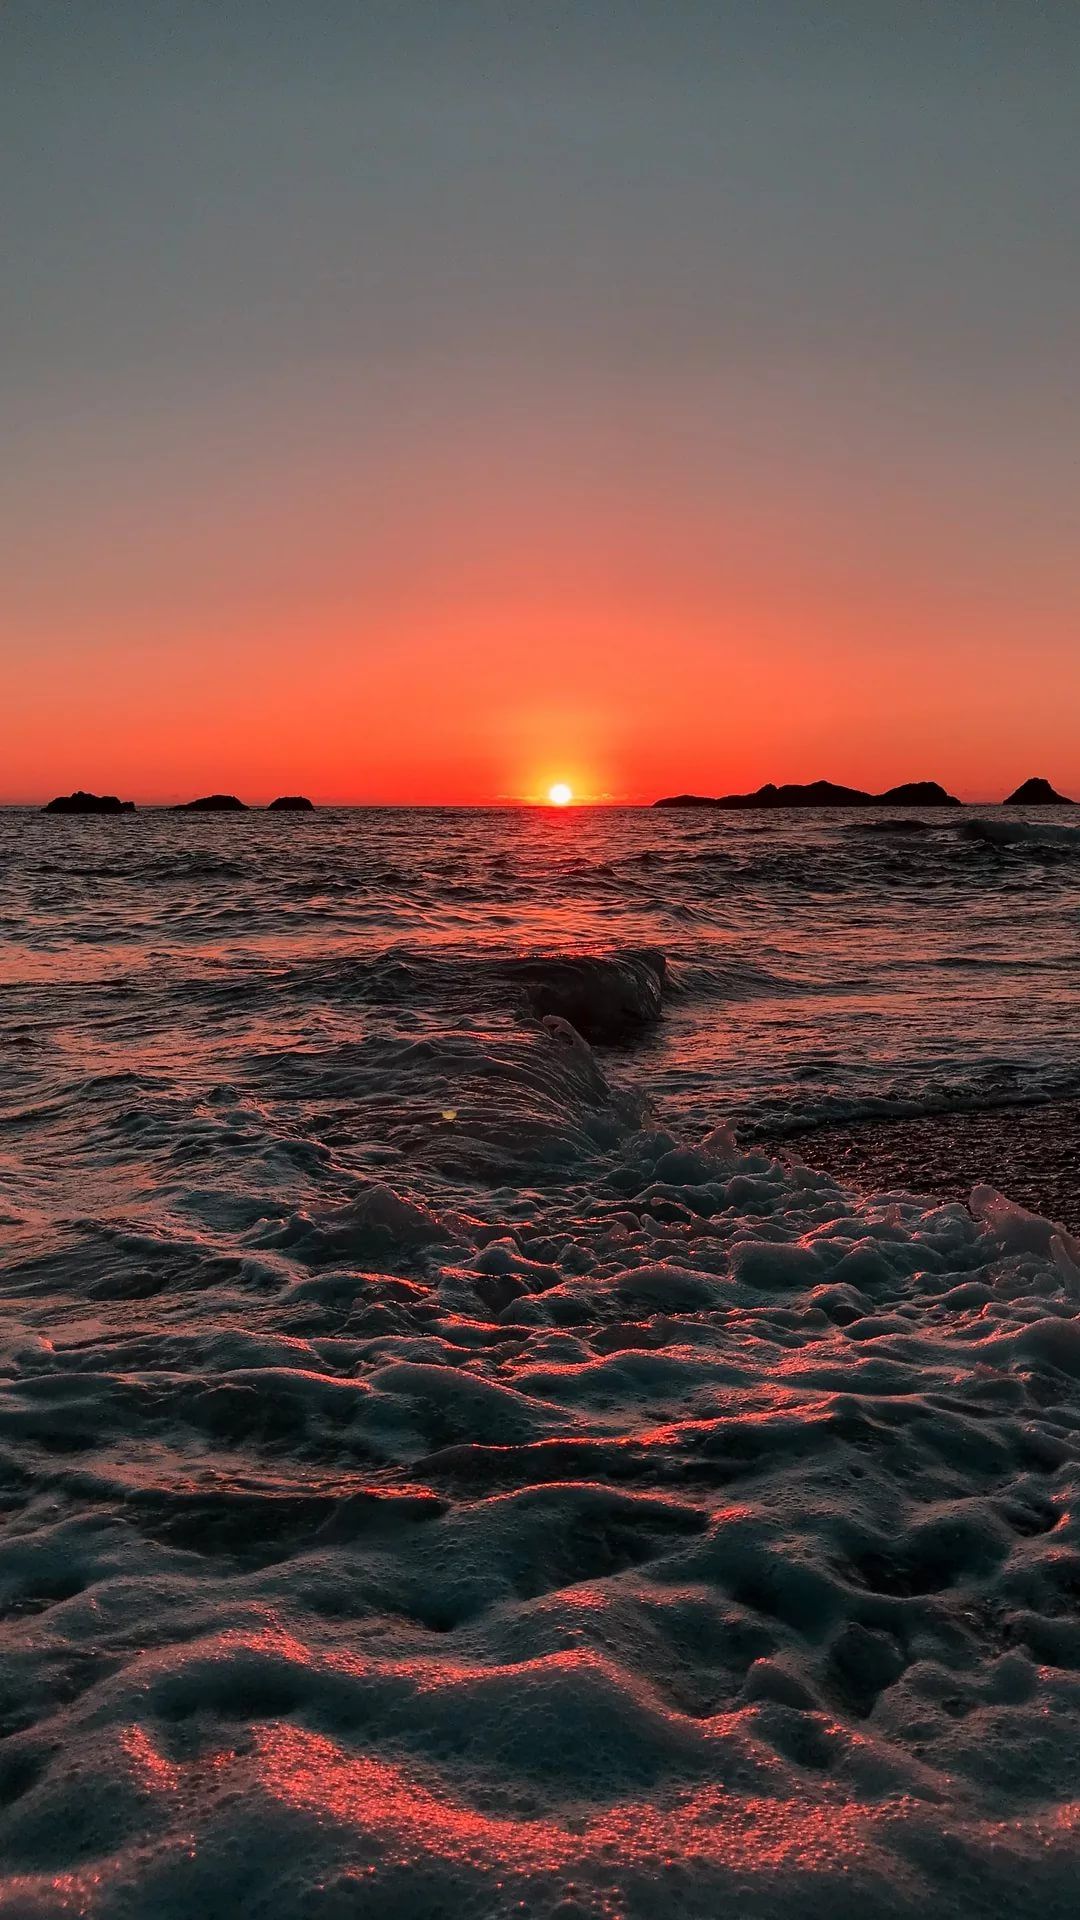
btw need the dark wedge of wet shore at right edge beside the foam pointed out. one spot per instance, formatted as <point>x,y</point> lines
<point>1029,1153</point>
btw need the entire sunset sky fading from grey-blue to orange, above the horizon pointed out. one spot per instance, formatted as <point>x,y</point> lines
<point>430,400</point>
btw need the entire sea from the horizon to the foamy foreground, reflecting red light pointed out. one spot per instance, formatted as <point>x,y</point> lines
<point>447,1464</point>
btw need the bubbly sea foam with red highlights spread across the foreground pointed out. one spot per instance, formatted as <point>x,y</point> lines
<point>731,1560</point>
